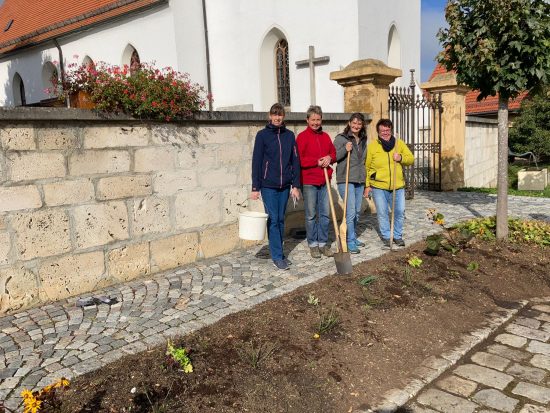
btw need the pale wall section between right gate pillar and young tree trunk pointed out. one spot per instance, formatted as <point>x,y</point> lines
<point>480,152</point>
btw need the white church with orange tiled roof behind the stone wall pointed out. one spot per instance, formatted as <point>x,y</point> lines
<point>247,53</point>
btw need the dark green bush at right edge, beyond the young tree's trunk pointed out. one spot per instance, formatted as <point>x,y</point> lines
<point>531,130</point>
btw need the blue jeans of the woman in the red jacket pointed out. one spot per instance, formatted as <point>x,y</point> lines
<point>316,211</point>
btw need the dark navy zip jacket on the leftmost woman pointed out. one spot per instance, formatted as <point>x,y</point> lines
<point>275,162</point>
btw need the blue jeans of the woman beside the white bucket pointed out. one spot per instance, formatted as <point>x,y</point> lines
<point>275,201</point>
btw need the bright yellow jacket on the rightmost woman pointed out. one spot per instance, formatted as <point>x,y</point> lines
<point>379,165</point>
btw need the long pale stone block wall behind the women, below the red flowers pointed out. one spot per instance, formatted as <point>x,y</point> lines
<point>88,201</point>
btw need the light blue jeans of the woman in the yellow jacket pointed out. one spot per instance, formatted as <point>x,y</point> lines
<point>383,200</point>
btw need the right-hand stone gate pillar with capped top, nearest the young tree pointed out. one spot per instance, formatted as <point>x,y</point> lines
<point>453,128</point>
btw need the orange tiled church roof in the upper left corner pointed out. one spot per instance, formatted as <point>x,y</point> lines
<point>25,23</point>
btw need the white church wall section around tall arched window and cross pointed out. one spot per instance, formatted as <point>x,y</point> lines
<point>236,57</point>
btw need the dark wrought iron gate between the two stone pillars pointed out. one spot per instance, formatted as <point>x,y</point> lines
<point>417,120</point>
